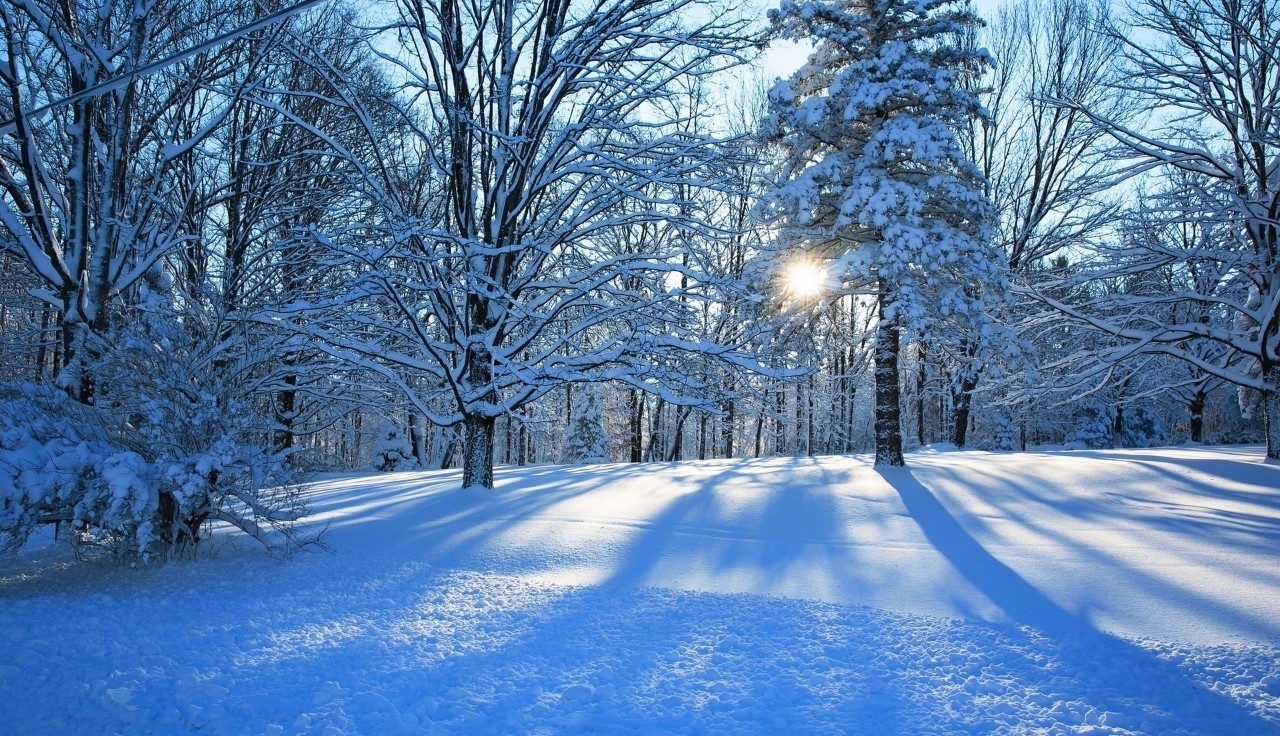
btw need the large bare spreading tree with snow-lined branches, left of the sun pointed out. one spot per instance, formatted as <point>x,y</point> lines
<point>545,129</point>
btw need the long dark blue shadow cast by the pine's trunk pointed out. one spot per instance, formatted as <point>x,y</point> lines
<point>1094,652</point>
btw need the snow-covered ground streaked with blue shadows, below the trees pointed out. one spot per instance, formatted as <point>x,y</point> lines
<point>1126,592</point>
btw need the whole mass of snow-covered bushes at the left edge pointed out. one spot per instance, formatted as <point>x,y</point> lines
<point>171,445</point>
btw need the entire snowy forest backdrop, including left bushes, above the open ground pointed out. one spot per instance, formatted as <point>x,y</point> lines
<point>244,244</point>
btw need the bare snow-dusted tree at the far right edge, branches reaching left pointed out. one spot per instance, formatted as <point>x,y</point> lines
<point>1209,75</point>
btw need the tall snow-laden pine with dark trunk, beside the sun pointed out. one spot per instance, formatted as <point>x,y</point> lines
<point>875,176</point>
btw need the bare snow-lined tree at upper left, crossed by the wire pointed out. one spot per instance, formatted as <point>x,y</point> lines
<point>90,198</point>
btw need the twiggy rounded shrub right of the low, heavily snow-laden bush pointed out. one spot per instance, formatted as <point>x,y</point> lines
<point>185,401</point>
